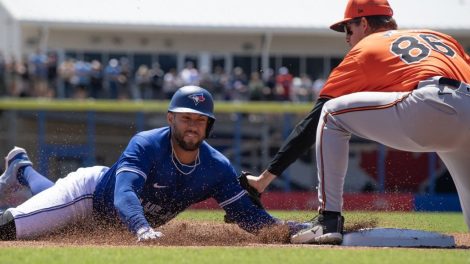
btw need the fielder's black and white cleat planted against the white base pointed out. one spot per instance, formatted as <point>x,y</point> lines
<point>327,229</point>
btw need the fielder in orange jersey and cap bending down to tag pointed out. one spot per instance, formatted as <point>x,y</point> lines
<point>406,89</point>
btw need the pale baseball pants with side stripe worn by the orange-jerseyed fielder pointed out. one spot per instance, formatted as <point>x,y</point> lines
<point>432,118</point>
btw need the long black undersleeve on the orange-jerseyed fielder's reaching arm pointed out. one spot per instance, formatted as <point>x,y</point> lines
<point>300,140</point>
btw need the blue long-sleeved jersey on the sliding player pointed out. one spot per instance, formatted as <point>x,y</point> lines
<point>144,187</point>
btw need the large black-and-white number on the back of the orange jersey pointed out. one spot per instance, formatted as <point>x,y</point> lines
<point>411,50</point>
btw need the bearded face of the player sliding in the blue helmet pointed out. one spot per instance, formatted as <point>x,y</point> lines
<point>188,129</point>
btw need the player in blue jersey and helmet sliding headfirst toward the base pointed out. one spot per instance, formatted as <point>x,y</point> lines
<point>160,174</point>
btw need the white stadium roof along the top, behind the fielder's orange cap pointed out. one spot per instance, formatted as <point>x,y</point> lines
<point>296,16</point>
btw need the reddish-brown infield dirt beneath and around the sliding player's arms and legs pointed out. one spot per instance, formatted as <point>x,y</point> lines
<point>177,233</point>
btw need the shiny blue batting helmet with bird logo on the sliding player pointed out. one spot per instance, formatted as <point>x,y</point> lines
<point>193,99</point>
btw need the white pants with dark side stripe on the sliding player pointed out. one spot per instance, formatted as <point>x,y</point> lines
<point>68,201</point>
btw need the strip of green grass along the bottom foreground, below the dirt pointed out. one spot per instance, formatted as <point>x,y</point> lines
<point>227,255</point>
